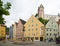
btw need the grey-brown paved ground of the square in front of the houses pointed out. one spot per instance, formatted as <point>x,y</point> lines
<point>37,43</point>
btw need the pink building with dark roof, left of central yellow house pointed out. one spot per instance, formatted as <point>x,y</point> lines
<point>19,29</point>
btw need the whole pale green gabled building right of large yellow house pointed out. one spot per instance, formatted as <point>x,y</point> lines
<point>51,29</point>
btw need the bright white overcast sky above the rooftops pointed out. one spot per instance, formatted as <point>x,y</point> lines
<point>24,9</point>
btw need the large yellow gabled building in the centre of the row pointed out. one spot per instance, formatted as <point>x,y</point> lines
<point>34,29</point>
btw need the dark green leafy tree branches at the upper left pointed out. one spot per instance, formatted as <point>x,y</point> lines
<point>4,10</point>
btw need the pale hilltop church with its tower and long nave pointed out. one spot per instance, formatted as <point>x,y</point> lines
<point>46,16</point>
